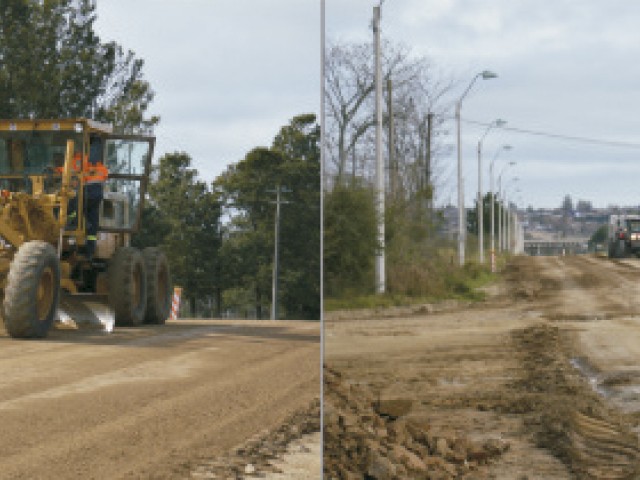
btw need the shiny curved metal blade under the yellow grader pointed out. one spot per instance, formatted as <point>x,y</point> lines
<point>86,310</point>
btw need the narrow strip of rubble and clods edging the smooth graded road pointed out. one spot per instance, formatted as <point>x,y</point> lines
<point>257,456</point>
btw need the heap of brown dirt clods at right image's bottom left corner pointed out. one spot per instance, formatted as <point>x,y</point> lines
<point>365,438</point>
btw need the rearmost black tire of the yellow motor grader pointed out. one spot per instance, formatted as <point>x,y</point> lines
<point>158,286</point>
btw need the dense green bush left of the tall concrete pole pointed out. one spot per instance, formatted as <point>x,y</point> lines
<point>349,240</point>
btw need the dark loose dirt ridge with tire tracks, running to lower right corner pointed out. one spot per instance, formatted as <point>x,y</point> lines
<point>566,415</point>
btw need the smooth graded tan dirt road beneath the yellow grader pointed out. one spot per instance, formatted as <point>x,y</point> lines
<point>154,402</point>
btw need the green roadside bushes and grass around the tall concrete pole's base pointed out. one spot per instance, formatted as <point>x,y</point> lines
<point>419,262</point>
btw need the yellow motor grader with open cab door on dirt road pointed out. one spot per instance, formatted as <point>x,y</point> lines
<point>47,271</point>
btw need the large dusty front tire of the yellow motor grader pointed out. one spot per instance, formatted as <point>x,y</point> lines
<point>33,291</point>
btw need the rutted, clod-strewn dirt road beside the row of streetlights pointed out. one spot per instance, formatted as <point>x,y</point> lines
<point>540,381</point>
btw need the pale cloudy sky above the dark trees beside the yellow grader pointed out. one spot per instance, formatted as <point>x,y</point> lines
<point>227,73</point>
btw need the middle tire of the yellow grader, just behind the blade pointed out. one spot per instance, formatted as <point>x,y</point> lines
<point>127,286</point>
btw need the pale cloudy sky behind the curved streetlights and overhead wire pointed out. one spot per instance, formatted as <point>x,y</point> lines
<point>567,67</point>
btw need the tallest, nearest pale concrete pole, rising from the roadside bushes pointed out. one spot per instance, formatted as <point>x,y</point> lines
<point>380,177</point>
